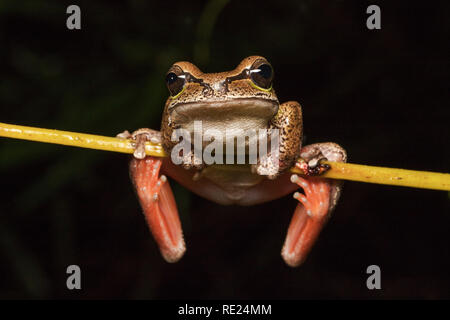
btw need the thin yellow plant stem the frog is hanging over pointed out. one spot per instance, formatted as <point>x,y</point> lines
<point>344,171</point>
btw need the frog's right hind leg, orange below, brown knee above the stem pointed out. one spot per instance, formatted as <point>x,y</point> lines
<point>319,199</point>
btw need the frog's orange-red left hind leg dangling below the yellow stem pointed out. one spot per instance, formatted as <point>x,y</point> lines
<point>158,203</point>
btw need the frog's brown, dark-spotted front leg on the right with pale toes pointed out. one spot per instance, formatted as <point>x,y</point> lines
<point>289,126</point>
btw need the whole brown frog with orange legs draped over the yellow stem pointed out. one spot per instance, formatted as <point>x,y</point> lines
<point>243,98</point>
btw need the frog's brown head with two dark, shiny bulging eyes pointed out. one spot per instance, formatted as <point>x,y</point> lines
<point>241,98</point>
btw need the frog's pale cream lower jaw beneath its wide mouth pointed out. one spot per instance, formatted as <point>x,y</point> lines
<point>239,113</point>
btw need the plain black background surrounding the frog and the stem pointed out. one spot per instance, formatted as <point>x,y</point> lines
<point>382,94</point>
